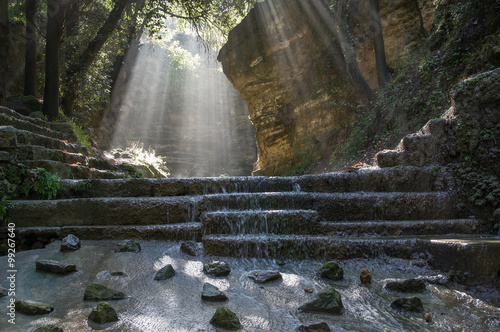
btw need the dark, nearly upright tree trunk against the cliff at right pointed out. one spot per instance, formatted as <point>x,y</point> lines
<point>378,41</point>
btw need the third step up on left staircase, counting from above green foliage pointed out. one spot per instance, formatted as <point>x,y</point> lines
<point>11,137</point>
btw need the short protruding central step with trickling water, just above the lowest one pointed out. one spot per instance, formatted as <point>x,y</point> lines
<point>260,222</point>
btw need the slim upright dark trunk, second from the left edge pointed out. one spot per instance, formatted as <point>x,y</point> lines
<point>30,54</point>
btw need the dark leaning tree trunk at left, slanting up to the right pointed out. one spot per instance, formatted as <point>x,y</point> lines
<point>76,70</point>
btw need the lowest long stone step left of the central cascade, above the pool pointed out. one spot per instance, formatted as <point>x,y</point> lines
<point>174,232</point>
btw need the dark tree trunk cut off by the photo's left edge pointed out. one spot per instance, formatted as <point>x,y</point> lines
<point>4,49</point>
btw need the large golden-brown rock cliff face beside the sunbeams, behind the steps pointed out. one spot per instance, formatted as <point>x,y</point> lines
<point>289,60</point>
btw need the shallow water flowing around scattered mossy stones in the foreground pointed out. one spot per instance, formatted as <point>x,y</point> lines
<point>176,305</point>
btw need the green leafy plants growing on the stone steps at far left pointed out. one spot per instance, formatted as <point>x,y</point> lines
<point>40,181</point>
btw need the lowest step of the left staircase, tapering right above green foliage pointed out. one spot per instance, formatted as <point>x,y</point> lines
<point>73,171</point>
